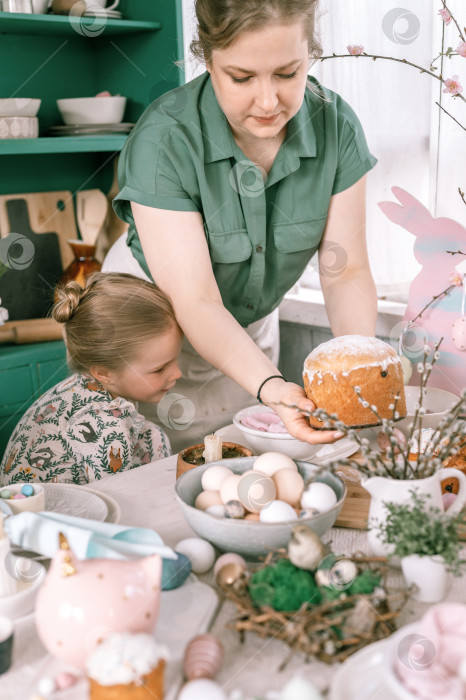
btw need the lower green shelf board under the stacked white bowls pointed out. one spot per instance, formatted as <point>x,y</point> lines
<point>63,144</point>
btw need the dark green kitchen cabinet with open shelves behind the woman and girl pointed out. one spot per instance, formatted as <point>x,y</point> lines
<point>52,57</point>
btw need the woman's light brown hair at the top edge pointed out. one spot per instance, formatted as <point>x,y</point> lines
<point>221,21</point>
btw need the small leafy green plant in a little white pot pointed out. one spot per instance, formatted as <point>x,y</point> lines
<point>426,540</point>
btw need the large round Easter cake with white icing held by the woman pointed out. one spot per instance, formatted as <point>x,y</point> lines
<point>337,371</point>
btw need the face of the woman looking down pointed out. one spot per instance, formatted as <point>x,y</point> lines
<point>260,79</point>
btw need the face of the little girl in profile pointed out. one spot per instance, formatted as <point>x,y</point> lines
<point>154,371</point>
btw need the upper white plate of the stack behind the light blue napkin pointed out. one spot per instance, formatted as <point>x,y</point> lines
<point>71,499</point>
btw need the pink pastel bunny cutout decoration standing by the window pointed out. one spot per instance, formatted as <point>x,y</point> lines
<point>433,238</point>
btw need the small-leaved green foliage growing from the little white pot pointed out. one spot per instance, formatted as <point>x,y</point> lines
<point>417,528</point>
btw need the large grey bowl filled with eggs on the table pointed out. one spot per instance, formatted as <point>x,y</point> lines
<point>249,505</point>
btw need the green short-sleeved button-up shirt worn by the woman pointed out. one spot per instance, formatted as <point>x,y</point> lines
<point>182,156</point>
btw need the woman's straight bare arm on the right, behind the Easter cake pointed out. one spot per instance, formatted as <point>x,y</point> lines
<point>345,276</point>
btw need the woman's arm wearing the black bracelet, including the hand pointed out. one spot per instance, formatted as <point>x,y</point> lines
<point>177,254</point>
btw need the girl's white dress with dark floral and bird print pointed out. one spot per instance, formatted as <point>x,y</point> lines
<point>76,433</point>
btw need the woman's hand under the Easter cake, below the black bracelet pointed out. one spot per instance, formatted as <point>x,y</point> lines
<point>277,392</point>
